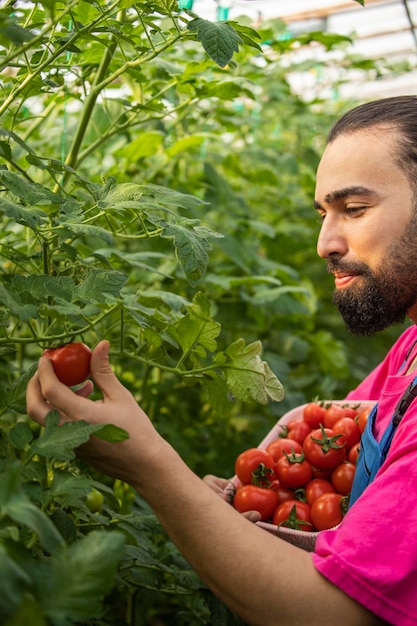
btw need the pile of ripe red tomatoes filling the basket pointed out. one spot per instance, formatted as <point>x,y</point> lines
<point>303,478</point>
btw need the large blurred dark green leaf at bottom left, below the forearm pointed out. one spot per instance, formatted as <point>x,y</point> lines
<point>80,576</point>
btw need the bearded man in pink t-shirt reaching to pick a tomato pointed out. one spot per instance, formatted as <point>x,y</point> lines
<point>365,572</point>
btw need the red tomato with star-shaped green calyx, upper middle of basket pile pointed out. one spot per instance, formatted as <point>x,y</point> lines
<point>322,449</point>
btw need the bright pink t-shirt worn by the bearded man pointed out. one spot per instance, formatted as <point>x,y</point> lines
<point>372,556</point>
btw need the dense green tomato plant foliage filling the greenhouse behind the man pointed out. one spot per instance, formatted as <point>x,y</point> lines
<point>156,177</point>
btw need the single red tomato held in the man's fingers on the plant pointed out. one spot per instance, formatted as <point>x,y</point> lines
<point>71,362</point>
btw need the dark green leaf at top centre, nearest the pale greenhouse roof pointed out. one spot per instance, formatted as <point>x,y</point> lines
<point>219,39</point>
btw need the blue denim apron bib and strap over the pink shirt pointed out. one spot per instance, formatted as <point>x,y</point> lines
<point>372,452</point>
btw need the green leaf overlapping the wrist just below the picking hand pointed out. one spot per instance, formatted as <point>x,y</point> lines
<point>59,442</point>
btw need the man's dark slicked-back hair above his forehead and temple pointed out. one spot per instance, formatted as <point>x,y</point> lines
<point>395,113</point>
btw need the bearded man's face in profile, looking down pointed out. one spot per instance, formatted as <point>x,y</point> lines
<point>369,230</point>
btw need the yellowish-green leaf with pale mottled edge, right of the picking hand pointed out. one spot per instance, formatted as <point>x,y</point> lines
<point>247,376</point>
